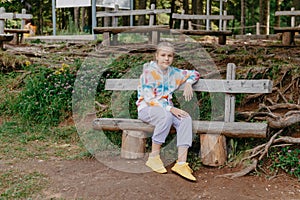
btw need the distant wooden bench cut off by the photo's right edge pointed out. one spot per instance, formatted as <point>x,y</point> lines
<point>288,33</point>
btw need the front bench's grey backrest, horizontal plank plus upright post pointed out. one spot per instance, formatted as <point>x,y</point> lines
<point>229,86</point>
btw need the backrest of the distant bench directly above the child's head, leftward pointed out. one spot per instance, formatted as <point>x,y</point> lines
<point>119,13</point>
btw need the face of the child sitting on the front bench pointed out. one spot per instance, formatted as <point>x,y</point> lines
<point>164,57</point>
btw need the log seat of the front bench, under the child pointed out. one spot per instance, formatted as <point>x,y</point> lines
<point>229,129</point>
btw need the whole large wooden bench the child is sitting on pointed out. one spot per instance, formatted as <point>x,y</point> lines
<point>212,133</point>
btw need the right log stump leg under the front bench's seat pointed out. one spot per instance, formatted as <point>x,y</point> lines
<point>213,149</point>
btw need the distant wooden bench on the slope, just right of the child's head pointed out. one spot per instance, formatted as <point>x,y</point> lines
<point>222,33</point>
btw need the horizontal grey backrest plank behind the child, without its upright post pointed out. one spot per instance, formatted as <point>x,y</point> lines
<point>204,85</point>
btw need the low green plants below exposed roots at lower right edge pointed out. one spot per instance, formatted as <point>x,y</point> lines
<point>286,159</point>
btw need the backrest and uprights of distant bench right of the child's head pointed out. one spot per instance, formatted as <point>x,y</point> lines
<point>222,19</point>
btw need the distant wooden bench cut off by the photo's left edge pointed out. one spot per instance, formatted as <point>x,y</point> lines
<point>17,32</point>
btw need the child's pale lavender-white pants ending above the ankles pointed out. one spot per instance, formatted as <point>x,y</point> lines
<point>163,120</point>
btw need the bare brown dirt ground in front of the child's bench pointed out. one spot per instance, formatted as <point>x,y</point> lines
<point>90,179</point>
